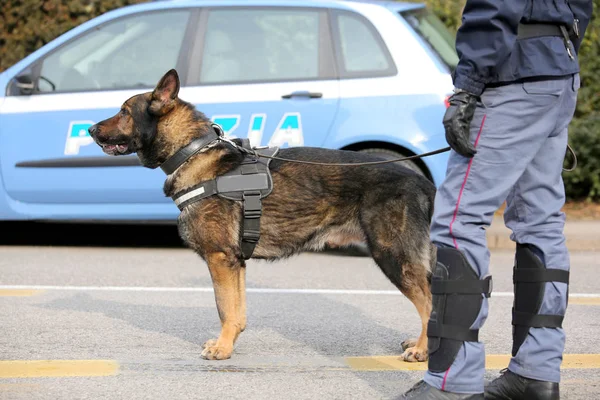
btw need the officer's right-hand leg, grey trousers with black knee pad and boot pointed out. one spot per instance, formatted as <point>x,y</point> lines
<point>534,215</point>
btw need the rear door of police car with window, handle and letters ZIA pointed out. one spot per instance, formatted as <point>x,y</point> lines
<point>266,73</point>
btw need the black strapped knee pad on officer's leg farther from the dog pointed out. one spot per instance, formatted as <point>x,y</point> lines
<point>529,278</point>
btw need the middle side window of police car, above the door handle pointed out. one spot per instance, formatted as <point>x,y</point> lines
<point>244,45</point>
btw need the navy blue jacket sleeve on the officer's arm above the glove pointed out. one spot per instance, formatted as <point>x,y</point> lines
<point>484,40</point>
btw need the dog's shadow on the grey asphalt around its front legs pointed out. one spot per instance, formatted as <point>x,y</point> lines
<point>328,326</point>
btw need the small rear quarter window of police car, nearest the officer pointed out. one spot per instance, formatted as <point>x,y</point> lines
<point>362,50</point>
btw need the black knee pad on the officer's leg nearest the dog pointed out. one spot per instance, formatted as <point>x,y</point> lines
<point>457,298</point>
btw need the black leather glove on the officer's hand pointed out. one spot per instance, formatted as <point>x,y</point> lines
<point>457,122</point>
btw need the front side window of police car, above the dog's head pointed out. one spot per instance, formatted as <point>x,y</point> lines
<point>132,52</point>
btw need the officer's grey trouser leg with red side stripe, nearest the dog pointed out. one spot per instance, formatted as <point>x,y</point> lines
<point>508,133</point>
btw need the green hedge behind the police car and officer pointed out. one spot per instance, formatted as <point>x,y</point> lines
<point>26,25</point>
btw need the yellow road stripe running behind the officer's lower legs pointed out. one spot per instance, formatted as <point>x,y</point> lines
<point>494,361</point>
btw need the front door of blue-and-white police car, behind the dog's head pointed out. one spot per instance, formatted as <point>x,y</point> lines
<point>46,153</point>
